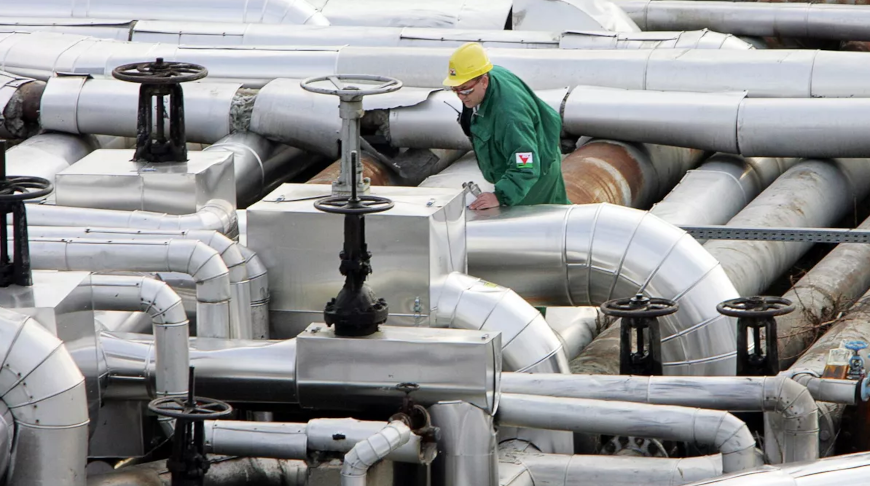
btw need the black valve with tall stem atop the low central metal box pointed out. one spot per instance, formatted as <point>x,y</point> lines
<point>355,311</point>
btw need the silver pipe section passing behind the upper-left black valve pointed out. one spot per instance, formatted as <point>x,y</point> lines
<point>77,104</point>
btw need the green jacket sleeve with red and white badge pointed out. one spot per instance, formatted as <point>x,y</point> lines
<point>518,141</point>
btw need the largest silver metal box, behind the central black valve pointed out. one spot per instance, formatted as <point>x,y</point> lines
<point>414,247</point>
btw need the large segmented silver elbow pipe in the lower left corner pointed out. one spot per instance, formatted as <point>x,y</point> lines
<point>45,394</point>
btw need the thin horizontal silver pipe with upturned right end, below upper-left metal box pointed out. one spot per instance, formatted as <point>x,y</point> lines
<point>216,214</point>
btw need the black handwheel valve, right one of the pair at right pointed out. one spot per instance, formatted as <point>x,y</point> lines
<point>756,313</point>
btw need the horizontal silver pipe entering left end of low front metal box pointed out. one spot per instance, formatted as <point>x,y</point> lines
<point>230,370</point>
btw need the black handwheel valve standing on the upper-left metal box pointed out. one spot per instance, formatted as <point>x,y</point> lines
<point>159,79</point>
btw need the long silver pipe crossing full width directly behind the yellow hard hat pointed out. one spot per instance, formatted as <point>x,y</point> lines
<point>776,73</point>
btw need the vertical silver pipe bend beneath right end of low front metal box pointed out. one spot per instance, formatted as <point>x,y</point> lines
<point>467,447</point>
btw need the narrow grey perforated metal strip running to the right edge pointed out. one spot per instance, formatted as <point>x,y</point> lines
<point>814,235</point>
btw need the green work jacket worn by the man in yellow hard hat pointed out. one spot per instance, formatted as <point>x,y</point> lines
<point>516,139</point>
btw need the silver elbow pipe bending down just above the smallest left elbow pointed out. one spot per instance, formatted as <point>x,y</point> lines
<point>194,258</point>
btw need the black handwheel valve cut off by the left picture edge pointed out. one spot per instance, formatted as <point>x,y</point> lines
<point>14,190</point>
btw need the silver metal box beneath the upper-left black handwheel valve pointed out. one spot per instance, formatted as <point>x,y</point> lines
<point>107,179</point>
